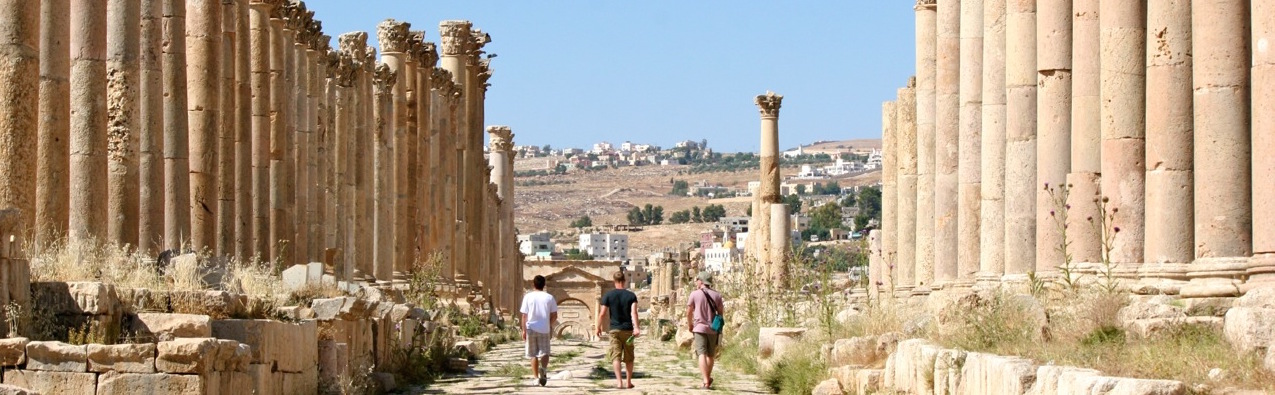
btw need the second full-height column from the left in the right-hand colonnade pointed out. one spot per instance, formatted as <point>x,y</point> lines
<point>947,142</point>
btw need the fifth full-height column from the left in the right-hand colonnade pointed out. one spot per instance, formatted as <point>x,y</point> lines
<point>1021,134</point>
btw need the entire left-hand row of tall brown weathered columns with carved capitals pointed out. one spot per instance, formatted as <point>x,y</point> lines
<point>234,128</point>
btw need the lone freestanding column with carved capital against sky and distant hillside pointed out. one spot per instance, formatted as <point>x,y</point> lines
<point>768,193</point>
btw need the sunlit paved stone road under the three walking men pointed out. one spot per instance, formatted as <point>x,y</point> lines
<point>578,368</point>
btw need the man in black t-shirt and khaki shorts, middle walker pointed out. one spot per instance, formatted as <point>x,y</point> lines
<point>620,306</point>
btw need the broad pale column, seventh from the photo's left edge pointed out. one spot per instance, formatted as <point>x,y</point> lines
<point>203,49</point>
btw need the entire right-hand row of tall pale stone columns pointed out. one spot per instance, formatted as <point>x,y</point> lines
<point>1054,137</point>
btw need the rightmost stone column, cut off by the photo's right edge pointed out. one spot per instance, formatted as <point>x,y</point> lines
<point>1262,267</point>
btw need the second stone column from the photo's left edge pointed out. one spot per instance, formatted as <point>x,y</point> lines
<point>50,208</point>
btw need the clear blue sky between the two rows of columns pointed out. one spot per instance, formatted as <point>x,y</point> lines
<point>576,73</point>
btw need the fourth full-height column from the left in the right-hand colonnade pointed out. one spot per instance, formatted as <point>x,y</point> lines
<point>991,230</point>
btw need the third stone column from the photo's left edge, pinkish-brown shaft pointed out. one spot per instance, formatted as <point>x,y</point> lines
<point>89,122</point>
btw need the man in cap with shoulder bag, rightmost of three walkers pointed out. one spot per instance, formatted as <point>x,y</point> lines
<point>704,317</point>
